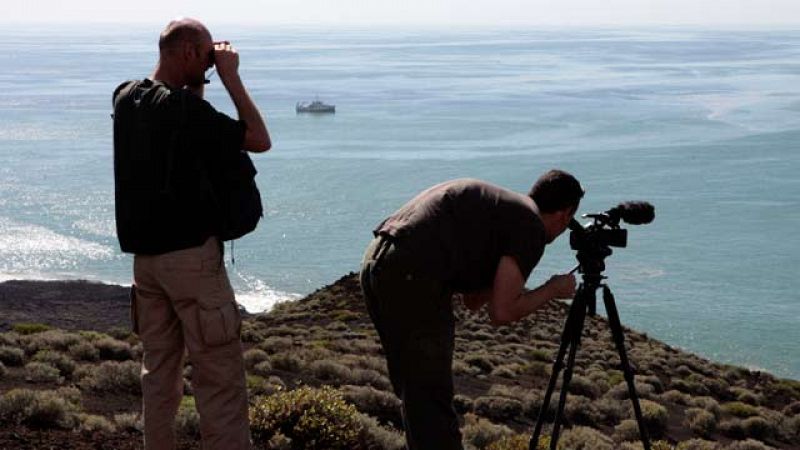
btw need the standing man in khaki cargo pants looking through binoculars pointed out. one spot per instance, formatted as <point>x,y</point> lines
<point>167,143</point>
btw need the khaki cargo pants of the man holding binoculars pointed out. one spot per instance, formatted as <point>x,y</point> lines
<point>184,300</point>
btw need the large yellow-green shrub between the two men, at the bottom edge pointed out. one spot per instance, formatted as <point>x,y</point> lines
<point>311,418</point>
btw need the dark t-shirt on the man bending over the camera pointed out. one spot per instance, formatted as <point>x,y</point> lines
<point>457,232</point>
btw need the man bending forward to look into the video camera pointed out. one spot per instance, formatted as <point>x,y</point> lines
<point>467,237</point>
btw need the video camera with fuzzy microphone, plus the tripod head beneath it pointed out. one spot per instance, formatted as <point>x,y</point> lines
<point>594,240</point>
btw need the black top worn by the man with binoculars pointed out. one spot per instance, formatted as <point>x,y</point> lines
<point>167,143</point>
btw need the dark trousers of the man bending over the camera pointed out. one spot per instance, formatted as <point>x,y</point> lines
<point>414,318</point>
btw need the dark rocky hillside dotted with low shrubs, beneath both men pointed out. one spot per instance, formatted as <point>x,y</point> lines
<point>326,339</point>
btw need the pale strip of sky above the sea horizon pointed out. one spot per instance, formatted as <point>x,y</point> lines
<point>724,13</point>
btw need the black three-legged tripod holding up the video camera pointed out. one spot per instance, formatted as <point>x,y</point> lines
<point>591,267</point>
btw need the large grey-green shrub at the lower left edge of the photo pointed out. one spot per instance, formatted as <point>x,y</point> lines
<point>38,409</point>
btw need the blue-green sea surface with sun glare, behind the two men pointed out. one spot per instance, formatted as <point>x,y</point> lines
<point>703,124</point>
